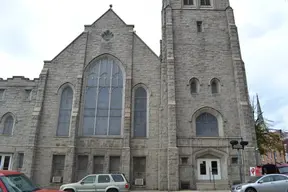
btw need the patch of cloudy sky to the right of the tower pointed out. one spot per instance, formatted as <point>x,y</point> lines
<point>263,29</point>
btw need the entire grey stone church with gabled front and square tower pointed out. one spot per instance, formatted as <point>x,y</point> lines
<point>107,103</point>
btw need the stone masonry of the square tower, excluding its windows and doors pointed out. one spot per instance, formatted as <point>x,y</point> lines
<point>206,55</point>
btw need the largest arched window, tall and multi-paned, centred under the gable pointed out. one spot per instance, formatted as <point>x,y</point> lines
<point>103,98</point>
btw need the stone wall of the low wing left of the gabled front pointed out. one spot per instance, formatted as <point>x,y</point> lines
<point>17,102</point>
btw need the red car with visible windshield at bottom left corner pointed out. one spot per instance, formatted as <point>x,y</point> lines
<point>12,181</point>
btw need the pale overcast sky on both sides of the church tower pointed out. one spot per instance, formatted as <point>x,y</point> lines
<point>32,31</point>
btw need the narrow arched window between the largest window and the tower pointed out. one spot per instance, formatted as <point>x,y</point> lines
<point>140,113</point>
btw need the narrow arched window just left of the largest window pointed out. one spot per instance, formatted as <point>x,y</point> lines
<point>65,112</point>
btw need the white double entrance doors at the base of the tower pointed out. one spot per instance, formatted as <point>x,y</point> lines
<point>208,169</point>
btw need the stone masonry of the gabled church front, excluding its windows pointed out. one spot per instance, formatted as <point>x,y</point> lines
<point>141,66</point>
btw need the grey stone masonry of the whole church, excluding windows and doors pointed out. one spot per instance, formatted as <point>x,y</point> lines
<point>185,53</point>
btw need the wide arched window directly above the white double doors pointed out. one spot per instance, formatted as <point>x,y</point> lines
<point>207,125</point>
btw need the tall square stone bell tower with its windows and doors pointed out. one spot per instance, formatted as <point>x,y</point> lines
<point>204,82</point>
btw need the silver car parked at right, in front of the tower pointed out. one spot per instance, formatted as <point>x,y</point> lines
<point>265,183</point>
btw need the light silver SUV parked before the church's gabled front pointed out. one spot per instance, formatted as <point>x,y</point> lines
<point>99,183</point>
